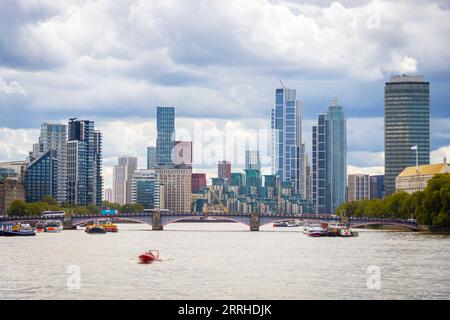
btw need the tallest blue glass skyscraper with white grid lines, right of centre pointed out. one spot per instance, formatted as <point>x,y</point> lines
<point>287,153</point>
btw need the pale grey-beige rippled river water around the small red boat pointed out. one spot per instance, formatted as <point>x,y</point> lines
<point>225,261</point>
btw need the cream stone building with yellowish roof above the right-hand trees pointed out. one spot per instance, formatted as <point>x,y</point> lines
<point>413,179</point>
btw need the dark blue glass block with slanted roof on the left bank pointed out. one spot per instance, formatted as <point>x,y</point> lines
<point>41,177</point>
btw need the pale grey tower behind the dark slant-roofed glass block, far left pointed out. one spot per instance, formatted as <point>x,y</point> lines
<point>54,137</point>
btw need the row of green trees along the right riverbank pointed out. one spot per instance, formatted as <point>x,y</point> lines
<point>428,207</point>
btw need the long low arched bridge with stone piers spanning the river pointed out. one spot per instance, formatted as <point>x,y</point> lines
<point>159,219</point>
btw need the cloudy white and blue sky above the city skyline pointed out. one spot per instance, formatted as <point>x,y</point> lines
<point>218,62</point>
